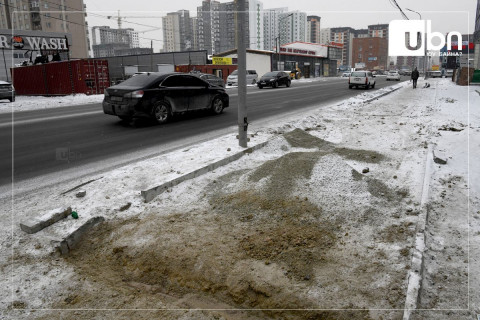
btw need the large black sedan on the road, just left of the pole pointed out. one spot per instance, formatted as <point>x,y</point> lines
<point>160,96</point>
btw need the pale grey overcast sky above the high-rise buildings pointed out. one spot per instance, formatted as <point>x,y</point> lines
<point>457,15</point>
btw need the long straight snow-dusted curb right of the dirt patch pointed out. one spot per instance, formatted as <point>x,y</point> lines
<point>415,274</point>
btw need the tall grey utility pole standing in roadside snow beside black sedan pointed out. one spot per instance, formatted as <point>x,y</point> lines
<point>242,74</point>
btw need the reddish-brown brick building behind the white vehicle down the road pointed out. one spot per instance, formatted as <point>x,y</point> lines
<point>371,51</point>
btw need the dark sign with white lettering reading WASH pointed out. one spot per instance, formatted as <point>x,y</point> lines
<point>33,42</point>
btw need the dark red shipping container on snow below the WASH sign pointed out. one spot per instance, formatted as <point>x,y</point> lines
<point>88,76</point>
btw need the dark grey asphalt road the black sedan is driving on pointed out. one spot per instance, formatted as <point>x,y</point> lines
<point>52,140</point>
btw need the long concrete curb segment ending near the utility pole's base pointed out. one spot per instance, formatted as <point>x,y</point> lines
<point>149,194</point>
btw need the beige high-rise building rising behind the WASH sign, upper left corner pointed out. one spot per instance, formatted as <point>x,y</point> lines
<point>64,16</point>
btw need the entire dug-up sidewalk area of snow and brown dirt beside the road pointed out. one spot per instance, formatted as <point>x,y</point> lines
<point>325,216</point>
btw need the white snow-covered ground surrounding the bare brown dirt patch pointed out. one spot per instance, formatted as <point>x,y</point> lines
<point>402,127</point>
